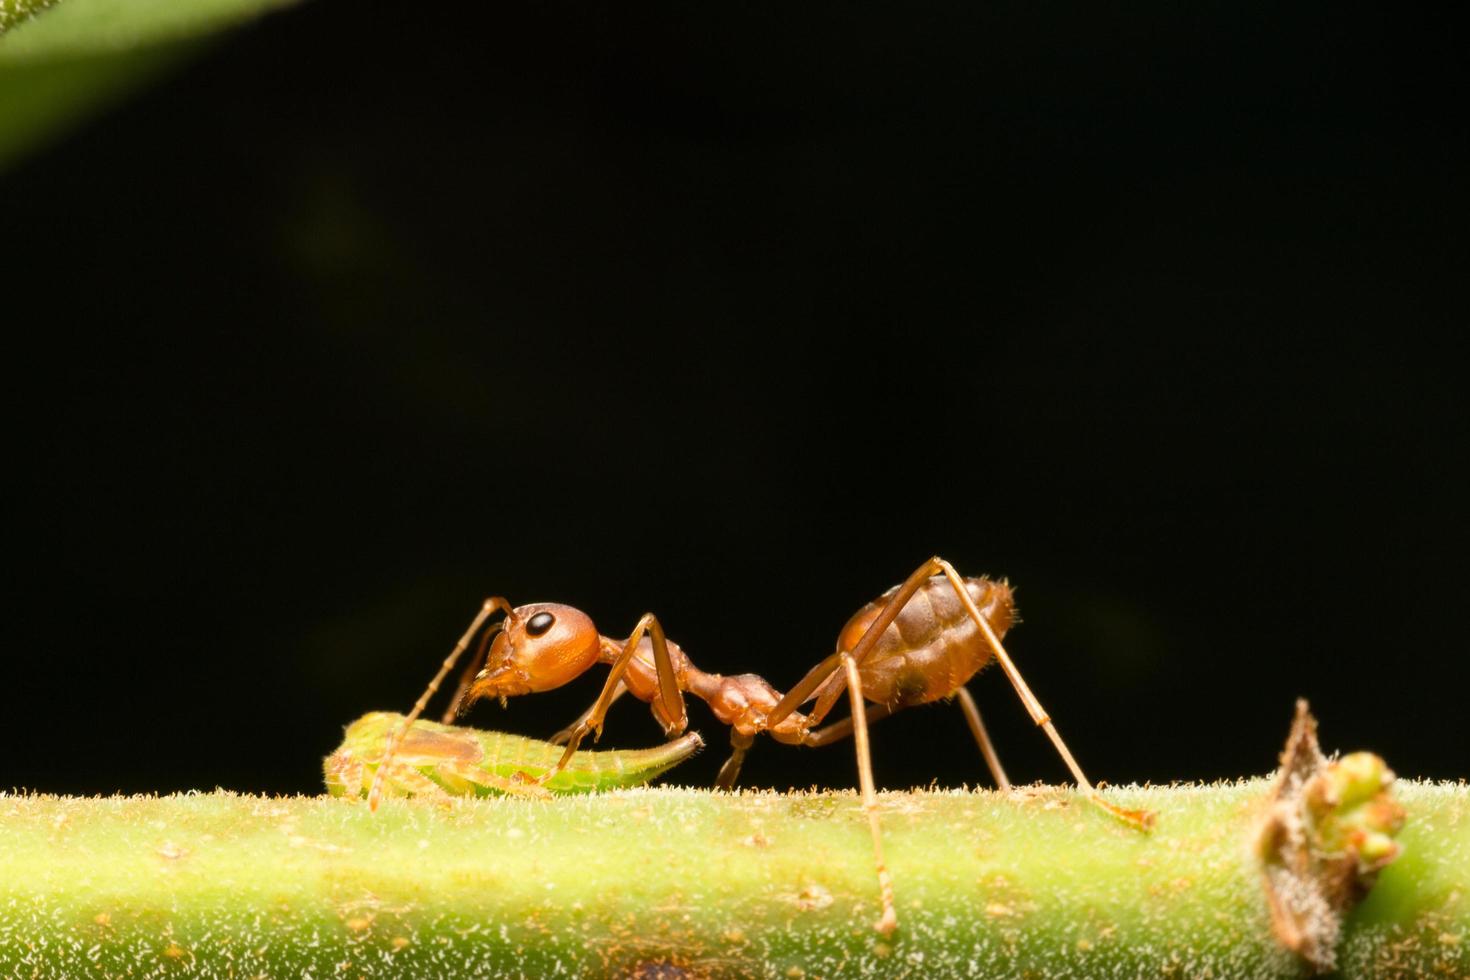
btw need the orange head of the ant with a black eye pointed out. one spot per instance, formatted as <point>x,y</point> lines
<point>540,647</point>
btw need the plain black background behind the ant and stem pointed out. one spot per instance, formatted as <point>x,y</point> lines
<point>739,317</point>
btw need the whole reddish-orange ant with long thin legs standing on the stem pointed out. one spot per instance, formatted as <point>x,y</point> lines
<point>896,653</point>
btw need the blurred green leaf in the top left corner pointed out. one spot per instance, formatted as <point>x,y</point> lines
<point>61,61</point>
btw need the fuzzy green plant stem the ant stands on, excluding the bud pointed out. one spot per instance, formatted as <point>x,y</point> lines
<point>1034,884</point>
